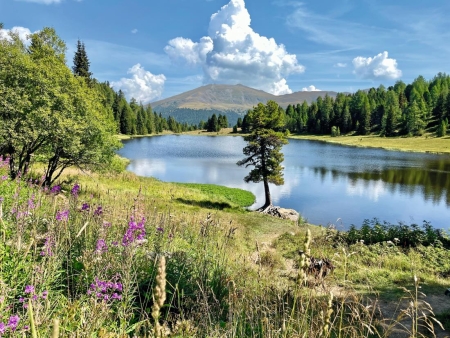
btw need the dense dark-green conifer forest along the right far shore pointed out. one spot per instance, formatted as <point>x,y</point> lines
<point>412,110</point>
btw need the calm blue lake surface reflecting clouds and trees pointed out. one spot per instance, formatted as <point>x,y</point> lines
<point>326,183</point>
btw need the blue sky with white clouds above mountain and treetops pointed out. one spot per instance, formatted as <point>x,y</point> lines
<point>156,49</point>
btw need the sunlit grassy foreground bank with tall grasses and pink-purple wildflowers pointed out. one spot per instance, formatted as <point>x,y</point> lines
<point>86,260</point>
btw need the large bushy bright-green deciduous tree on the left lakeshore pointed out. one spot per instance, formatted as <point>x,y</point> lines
<point>46,113</point>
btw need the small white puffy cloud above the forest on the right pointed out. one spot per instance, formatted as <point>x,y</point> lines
<point>378,67</point>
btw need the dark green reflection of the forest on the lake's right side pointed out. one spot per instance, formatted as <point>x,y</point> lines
<point>432,180</point>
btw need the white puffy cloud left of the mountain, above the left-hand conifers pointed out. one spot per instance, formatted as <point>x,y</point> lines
<point>143,85</point>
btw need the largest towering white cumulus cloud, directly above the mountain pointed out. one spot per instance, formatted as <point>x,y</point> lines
<point>233,53</point>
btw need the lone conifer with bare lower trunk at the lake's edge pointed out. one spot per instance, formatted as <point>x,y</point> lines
<point>263,148</point>
